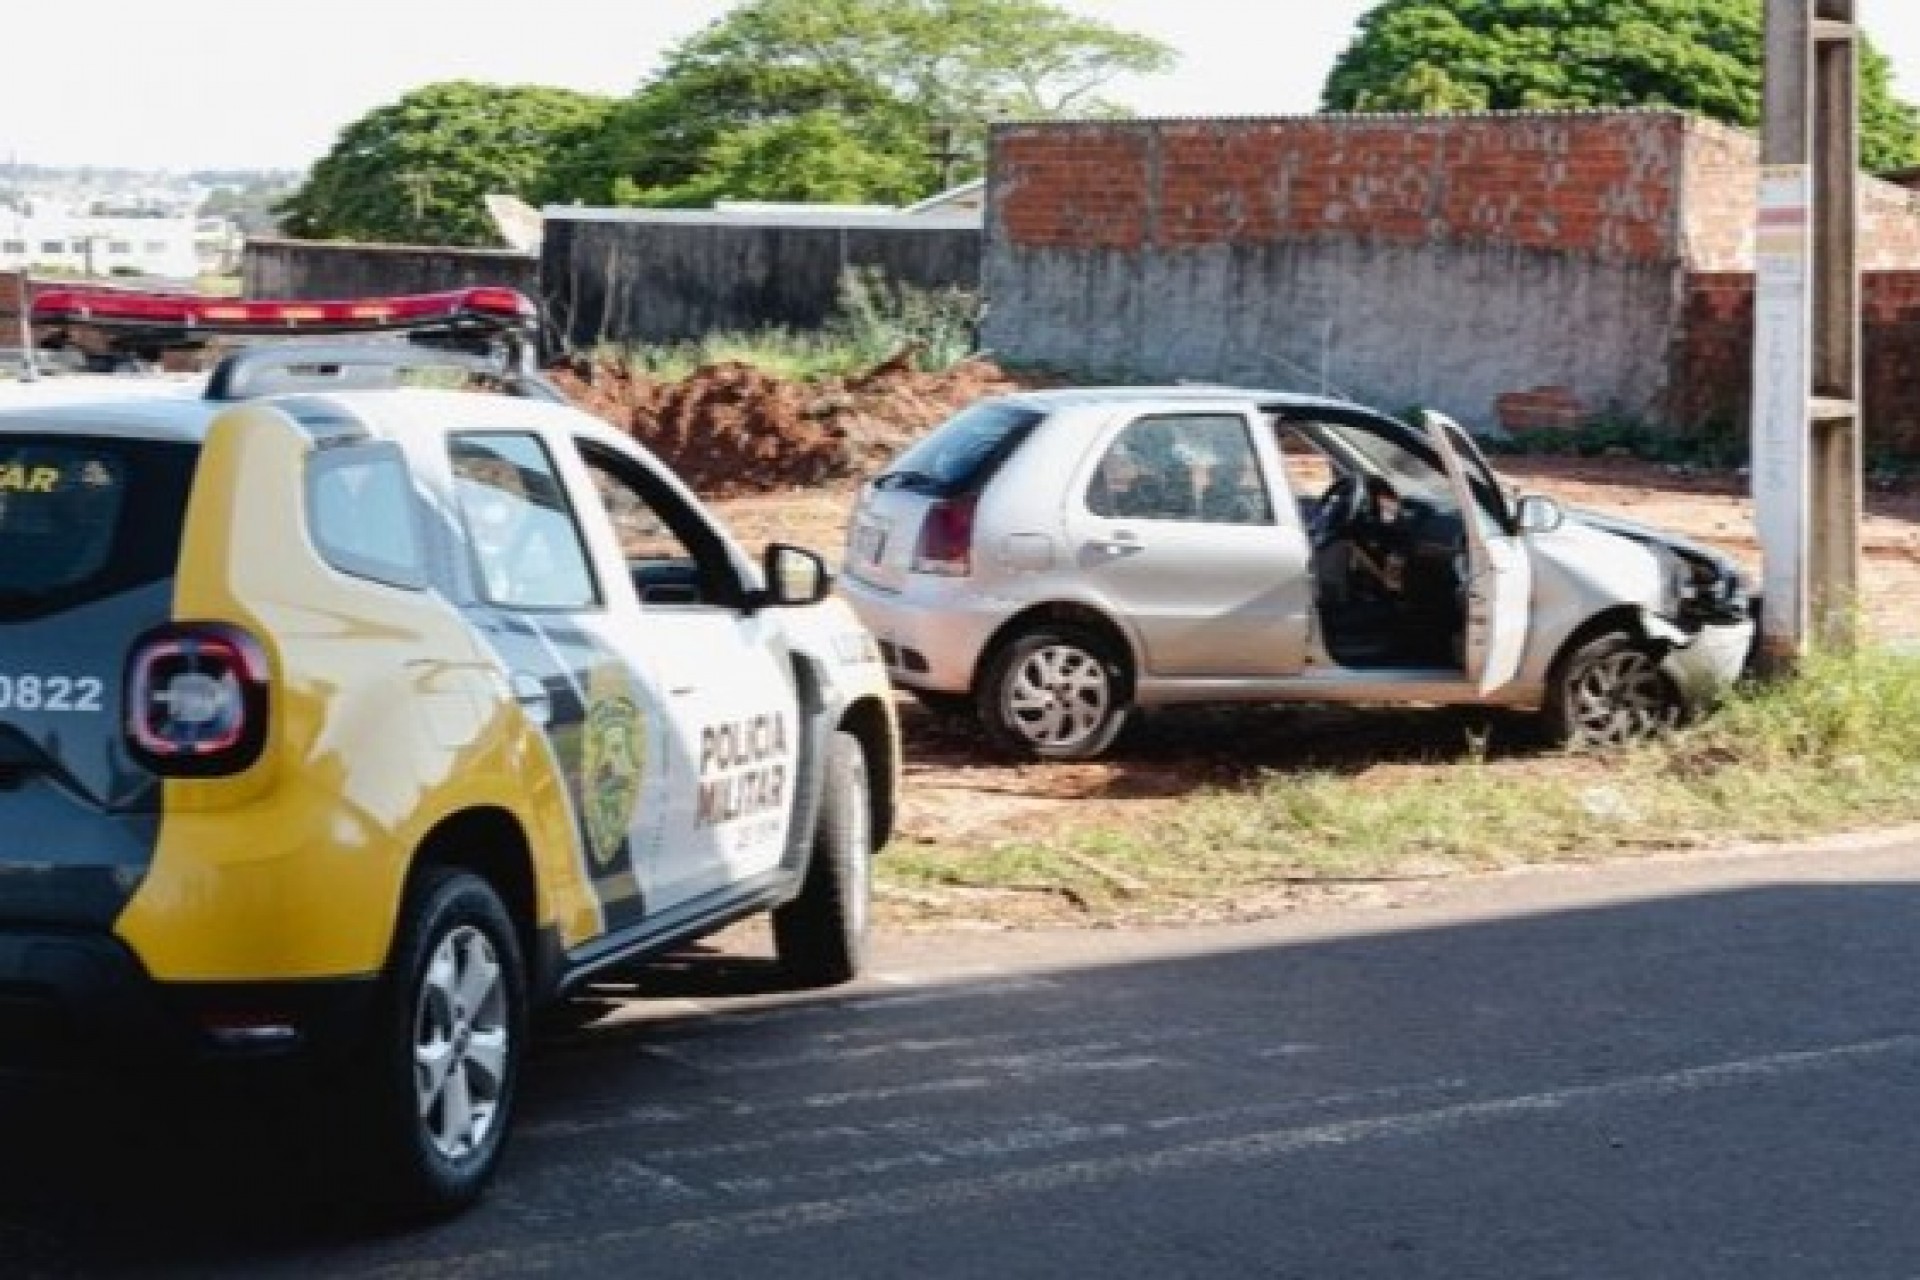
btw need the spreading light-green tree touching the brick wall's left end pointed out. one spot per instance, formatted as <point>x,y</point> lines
<point>894,93</point>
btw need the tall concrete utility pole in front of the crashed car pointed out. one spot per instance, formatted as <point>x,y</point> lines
<point>1808,417</point>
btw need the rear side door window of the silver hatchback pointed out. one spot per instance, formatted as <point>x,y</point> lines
<point>1197,469</point>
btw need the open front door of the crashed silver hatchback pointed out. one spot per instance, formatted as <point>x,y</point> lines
<point>1499,573</point>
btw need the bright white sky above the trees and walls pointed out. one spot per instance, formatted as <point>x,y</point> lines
<point>270,85</point>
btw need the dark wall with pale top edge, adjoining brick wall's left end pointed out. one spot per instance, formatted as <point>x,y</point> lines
<point>621,277</point>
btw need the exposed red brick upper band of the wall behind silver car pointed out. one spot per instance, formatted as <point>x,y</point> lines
<point>1579,183</point>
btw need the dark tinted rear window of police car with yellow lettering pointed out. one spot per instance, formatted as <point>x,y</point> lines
<point>84,519</point>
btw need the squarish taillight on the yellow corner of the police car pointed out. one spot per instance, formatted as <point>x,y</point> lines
<point>197,701</point>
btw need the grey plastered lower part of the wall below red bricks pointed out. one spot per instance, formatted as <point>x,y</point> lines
<point>1393,325</point>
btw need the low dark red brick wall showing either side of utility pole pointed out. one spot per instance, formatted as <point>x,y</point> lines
<point>1716,364</point>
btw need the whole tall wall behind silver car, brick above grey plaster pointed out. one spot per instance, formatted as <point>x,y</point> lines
<point>1403,260</point>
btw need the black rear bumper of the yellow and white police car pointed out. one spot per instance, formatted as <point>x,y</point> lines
<point>76,1001</point>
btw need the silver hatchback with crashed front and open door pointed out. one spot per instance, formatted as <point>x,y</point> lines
<point>1055,559</point>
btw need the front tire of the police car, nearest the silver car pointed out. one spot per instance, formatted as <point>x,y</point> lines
<point>821,937</point>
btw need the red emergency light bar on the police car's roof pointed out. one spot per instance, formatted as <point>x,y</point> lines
<point>487,306</point>
